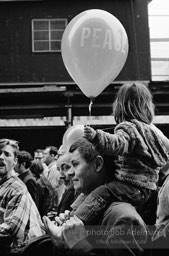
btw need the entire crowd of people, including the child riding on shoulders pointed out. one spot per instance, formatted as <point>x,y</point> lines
<point>103,195</point>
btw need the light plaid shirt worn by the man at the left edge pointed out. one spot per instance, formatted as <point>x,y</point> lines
<point>19,217</point>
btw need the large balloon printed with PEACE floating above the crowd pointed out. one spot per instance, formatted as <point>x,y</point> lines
<point>94,50</point>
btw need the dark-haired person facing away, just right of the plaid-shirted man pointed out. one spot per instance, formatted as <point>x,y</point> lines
<point>45,190</point>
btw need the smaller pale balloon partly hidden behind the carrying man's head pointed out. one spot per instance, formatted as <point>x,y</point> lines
<point>72,134</point>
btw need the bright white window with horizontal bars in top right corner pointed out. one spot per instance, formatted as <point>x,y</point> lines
<point>159,39</point>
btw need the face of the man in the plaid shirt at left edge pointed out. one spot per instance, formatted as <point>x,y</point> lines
<point>7,160</point>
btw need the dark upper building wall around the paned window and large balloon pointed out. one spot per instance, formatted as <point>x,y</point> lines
<point>18,64</point>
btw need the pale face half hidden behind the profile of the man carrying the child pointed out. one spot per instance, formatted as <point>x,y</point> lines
<point>63,166</point>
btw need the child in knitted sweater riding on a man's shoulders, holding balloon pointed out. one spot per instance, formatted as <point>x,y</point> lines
<point>140,149</point>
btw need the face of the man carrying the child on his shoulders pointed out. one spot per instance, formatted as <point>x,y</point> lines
<point>83,174</point>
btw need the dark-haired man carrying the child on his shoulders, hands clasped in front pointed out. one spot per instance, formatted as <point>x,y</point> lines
<point>121,226</point>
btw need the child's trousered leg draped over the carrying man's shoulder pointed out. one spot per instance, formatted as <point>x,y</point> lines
<point>93,207</point>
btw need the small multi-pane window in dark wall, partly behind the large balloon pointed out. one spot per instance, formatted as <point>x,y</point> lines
<point>47,34</point>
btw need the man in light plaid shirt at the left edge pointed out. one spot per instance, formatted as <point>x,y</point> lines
<point>19,218</point>
